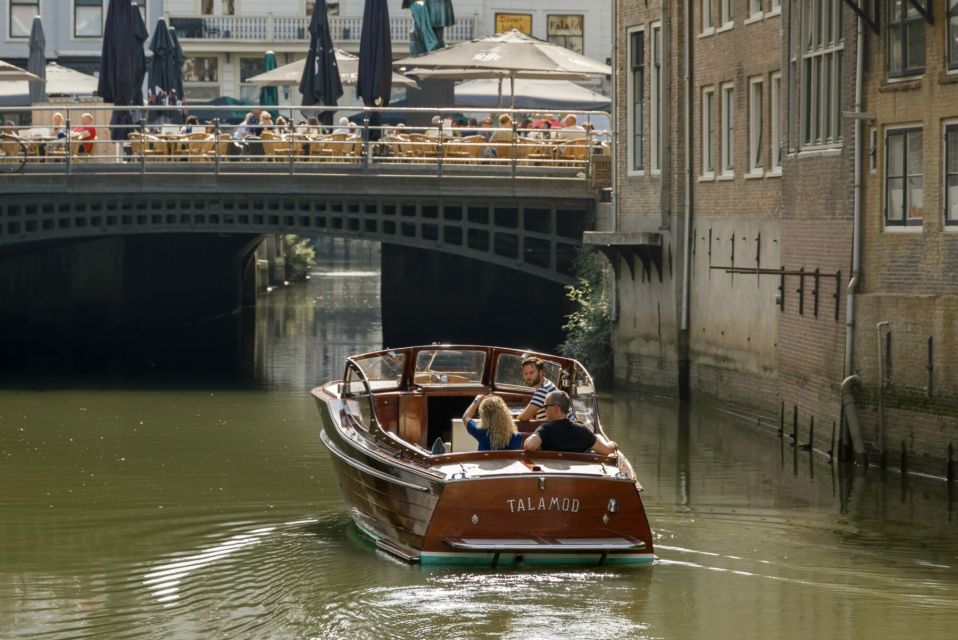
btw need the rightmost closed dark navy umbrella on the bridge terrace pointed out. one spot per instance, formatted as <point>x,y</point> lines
<point>374,85</point>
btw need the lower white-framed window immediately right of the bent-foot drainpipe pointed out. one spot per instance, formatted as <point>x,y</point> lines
<point>904,181</point>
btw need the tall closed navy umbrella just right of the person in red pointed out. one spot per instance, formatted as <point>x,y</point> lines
<point>117,83</point>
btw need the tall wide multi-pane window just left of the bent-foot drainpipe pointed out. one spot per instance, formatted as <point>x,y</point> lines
<point>821,75</point>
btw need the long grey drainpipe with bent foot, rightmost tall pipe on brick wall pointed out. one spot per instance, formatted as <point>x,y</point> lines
<point>848,398</point>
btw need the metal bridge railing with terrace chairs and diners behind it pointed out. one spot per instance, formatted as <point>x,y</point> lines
<point>72,138</point>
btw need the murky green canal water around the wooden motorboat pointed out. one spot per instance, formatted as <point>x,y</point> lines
<point>178,505</point>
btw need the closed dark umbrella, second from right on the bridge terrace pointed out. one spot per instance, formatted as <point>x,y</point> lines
<point>320,81</point>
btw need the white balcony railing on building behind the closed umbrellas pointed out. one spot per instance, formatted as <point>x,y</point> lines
<point>270,28</point>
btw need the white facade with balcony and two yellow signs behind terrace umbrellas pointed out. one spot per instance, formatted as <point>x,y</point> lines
<point>236,33</point>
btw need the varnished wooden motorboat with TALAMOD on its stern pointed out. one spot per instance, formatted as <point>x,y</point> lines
<point>414,483</point>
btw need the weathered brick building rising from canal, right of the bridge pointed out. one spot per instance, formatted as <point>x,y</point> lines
<point>741,119</point>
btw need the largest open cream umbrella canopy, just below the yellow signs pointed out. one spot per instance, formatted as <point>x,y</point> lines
<point>513,53</point>
